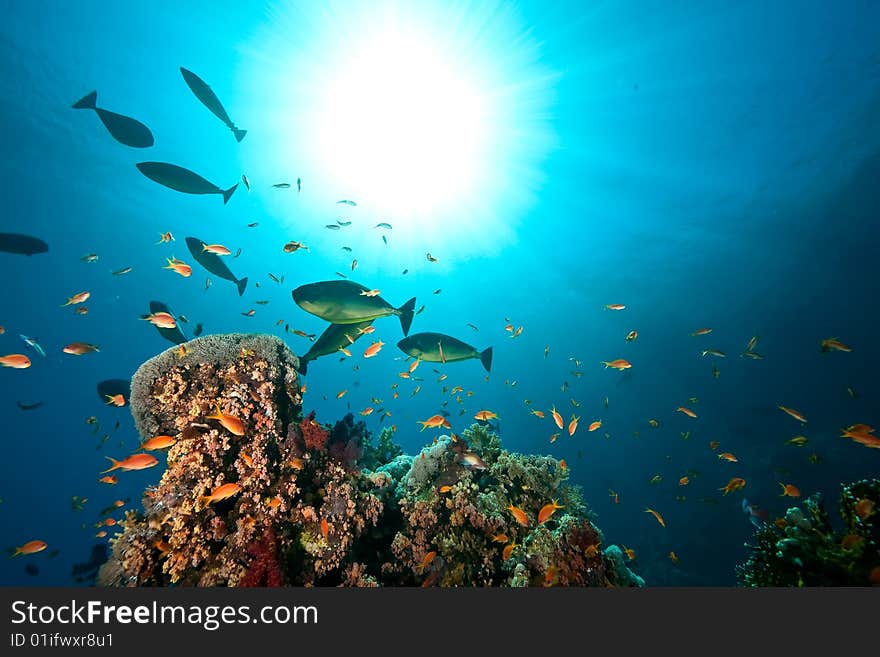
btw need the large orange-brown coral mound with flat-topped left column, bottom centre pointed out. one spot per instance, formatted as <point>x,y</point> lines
<point>318,505</point>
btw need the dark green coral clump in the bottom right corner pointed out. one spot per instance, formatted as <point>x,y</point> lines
<point>803,549</point>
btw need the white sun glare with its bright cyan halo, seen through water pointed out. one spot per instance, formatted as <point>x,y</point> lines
<point>433,116</point>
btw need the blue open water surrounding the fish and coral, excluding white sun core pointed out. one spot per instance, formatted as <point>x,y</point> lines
<point>711,166</point>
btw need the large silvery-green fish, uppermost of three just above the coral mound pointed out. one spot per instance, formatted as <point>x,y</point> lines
<point>341,302</point>
